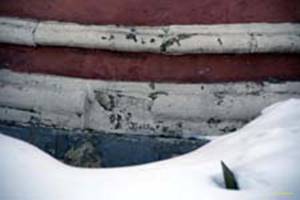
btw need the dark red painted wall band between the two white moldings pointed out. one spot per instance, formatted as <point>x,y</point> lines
<point>150,67</point>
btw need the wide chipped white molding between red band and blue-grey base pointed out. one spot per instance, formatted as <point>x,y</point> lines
<point>137,108</point>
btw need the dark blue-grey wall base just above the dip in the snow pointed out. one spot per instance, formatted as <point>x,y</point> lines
<point>99,149</point>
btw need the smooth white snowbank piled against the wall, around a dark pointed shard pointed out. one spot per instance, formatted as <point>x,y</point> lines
<point>264,155</point>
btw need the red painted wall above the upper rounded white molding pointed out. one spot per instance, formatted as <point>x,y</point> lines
<point>154,12</point>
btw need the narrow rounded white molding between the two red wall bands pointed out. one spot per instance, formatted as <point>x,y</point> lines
<point>173,39</point>
